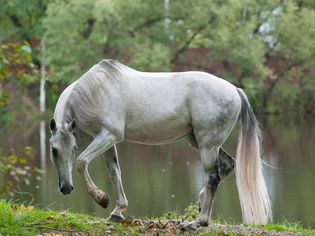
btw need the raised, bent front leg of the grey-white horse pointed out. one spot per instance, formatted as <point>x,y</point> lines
<point>102,142</point>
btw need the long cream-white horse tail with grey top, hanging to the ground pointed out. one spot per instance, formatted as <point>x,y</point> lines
<point>252,190</point>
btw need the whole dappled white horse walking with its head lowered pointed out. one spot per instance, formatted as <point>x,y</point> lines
<point>113,102</point>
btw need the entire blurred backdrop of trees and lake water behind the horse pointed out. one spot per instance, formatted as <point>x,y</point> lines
<point>265,47</point>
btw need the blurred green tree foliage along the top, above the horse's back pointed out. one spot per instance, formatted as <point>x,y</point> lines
<point>261,46</point>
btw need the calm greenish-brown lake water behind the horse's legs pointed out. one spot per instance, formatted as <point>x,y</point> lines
<point>159,179</point>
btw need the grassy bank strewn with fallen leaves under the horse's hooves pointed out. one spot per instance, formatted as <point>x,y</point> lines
<point>18,219</point>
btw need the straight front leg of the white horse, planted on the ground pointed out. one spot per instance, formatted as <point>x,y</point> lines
<point>111,158</point>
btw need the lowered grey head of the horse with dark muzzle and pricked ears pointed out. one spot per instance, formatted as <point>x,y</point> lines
<point>62,150</point>
